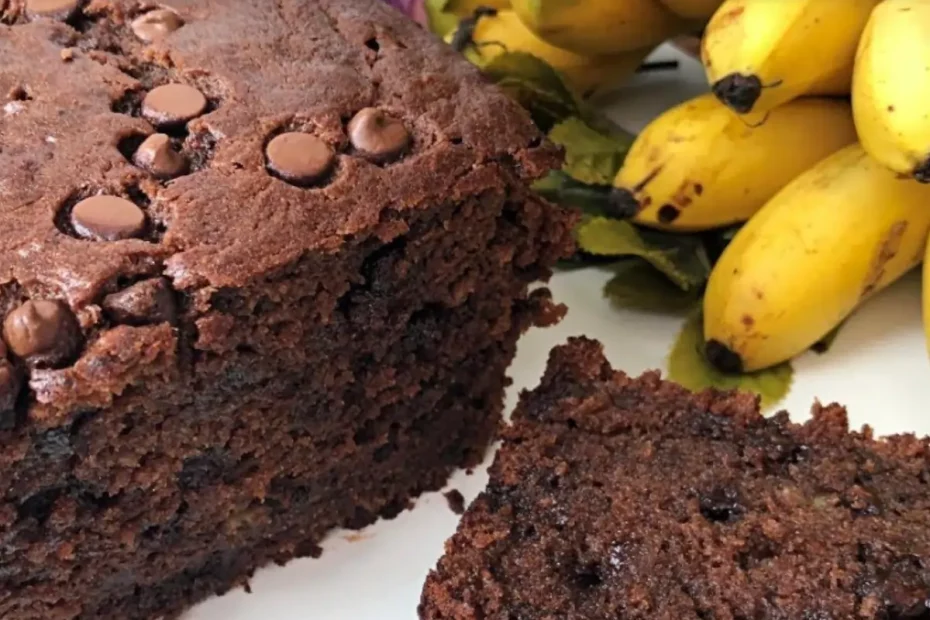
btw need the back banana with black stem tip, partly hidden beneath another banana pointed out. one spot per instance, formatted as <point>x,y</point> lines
<point>504,32</point>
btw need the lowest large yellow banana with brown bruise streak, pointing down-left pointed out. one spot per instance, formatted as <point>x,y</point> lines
<point>832,238</point>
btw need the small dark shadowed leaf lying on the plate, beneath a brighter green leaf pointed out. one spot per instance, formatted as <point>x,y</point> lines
<point>637,285</point>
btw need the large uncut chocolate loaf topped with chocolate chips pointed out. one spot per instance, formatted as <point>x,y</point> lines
<point>263,267</point>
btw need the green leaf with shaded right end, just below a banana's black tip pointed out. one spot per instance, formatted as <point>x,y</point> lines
<point>681,258</point>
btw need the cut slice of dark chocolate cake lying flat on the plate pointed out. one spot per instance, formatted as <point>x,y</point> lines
<point>615,497</point>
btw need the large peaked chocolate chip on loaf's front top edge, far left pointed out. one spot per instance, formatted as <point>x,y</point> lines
<point>42,332</point>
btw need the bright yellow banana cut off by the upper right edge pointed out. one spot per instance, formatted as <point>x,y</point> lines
<point>891,87</point>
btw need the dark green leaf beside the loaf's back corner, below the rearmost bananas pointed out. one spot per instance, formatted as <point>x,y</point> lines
<point>535,85</point>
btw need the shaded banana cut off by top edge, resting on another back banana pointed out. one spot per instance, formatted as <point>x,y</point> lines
<point>599,27</point>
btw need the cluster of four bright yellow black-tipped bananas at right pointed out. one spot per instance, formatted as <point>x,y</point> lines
<point>818,242</point>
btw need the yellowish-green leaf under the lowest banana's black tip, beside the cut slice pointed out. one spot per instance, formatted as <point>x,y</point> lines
<point>687,366</point>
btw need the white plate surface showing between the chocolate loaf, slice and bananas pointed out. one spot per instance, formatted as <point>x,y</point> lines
<point>877,367</point>
